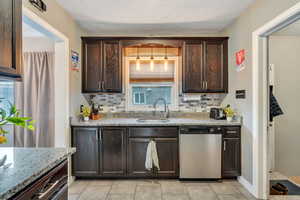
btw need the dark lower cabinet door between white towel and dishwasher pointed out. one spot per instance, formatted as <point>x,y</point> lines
<point>167,150</point>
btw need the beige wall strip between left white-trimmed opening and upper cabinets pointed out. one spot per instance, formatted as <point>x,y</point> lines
<point>63,22</point>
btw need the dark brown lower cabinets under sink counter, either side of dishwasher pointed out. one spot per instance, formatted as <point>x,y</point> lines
<point>118,152</point>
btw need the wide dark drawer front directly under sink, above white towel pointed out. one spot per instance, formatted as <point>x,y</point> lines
<point>152,132</point>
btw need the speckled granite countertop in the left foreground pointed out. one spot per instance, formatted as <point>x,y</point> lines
<point>28,164</point>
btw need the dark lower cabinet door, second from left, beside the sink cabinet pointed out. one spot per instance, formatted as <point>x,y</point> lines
<point>113,151</point>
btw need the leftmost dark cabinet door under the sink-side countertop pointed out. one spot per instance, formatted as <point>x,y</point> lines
<point>85,160</point>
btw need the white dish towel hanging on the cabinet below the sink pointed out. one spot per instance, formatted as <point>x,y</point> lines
<point>151,156</point>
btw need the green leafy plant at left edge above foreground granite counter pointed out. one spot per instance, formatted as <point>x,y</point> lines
<point>13,117</point>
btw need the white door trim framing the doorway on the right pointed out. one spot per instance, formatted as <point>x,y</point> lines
<point>260,97</point>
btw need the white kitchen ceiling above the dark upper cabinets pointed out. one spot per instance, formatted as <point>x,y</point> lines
<point>154,17</point>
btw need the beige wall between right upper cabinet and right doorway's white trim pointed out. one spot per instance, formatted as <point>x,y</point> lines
<point>240,33</point>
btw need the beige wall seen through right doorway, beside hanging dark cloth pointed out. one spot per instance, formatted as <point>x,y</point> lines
<point>284,54</point>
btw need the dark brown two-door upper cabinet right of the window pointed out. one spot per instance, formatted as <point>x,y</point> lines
<point>205,66</point>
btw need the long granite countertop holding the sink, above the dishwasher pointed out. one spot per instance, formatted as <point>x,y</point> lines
<point>171,122</point>
